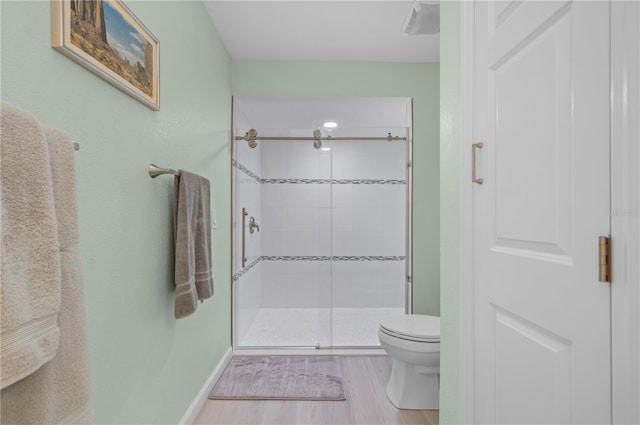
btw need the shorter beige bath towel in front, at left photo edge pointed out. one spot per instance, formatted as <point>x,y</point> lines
<point>30,275</point>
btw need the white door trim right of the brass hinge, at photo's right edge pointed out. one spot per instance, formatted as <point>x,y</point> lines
<point>625,204</point>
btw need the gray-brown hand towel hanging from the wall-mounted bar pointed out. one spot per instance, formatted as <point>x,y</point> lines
<point>193,266</point>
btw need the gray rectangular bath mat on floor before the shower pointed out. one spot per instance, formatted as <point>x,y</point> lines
<point>281,378</point>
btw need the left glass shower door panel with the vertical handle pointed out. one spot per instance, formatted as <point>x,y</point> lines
<point>282,296</point>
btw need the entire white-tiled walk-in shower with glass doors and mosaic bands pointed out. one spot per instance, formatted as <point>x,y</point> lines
<point>321,252</point>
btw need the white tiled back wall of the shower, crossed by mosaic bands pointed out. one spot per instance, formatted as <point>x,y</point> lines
<point>340,219</point>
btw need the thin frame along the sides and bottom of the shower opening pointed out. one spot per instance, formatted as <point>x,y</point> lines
<point>408,295</point>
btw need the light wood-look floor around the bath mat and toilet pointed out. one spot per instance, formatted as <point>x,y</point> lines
<point>365,378</point>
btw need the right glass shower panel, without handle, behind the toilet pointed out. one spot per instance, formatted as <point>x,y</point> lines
<point>369,236</point>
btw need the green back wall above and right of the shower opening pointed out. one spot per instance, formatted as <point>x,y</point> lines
<point>358,79</point>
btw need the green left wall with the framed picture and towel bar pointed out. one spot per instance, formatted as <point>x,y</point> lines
<point>146,366</point>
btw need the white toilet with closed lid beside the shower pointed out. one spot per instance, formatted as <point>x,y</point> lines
<point>413,343</point>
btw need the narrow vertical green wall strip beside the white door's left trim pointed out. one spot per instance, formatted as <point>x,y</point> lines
<point>449,209</point>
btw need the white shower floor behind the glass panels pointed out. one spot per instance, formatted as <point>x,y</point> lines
<point>316,329</point>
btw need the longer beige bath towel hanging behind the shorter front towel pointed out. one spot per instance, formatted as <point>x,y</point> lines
<point>60,391</point>
